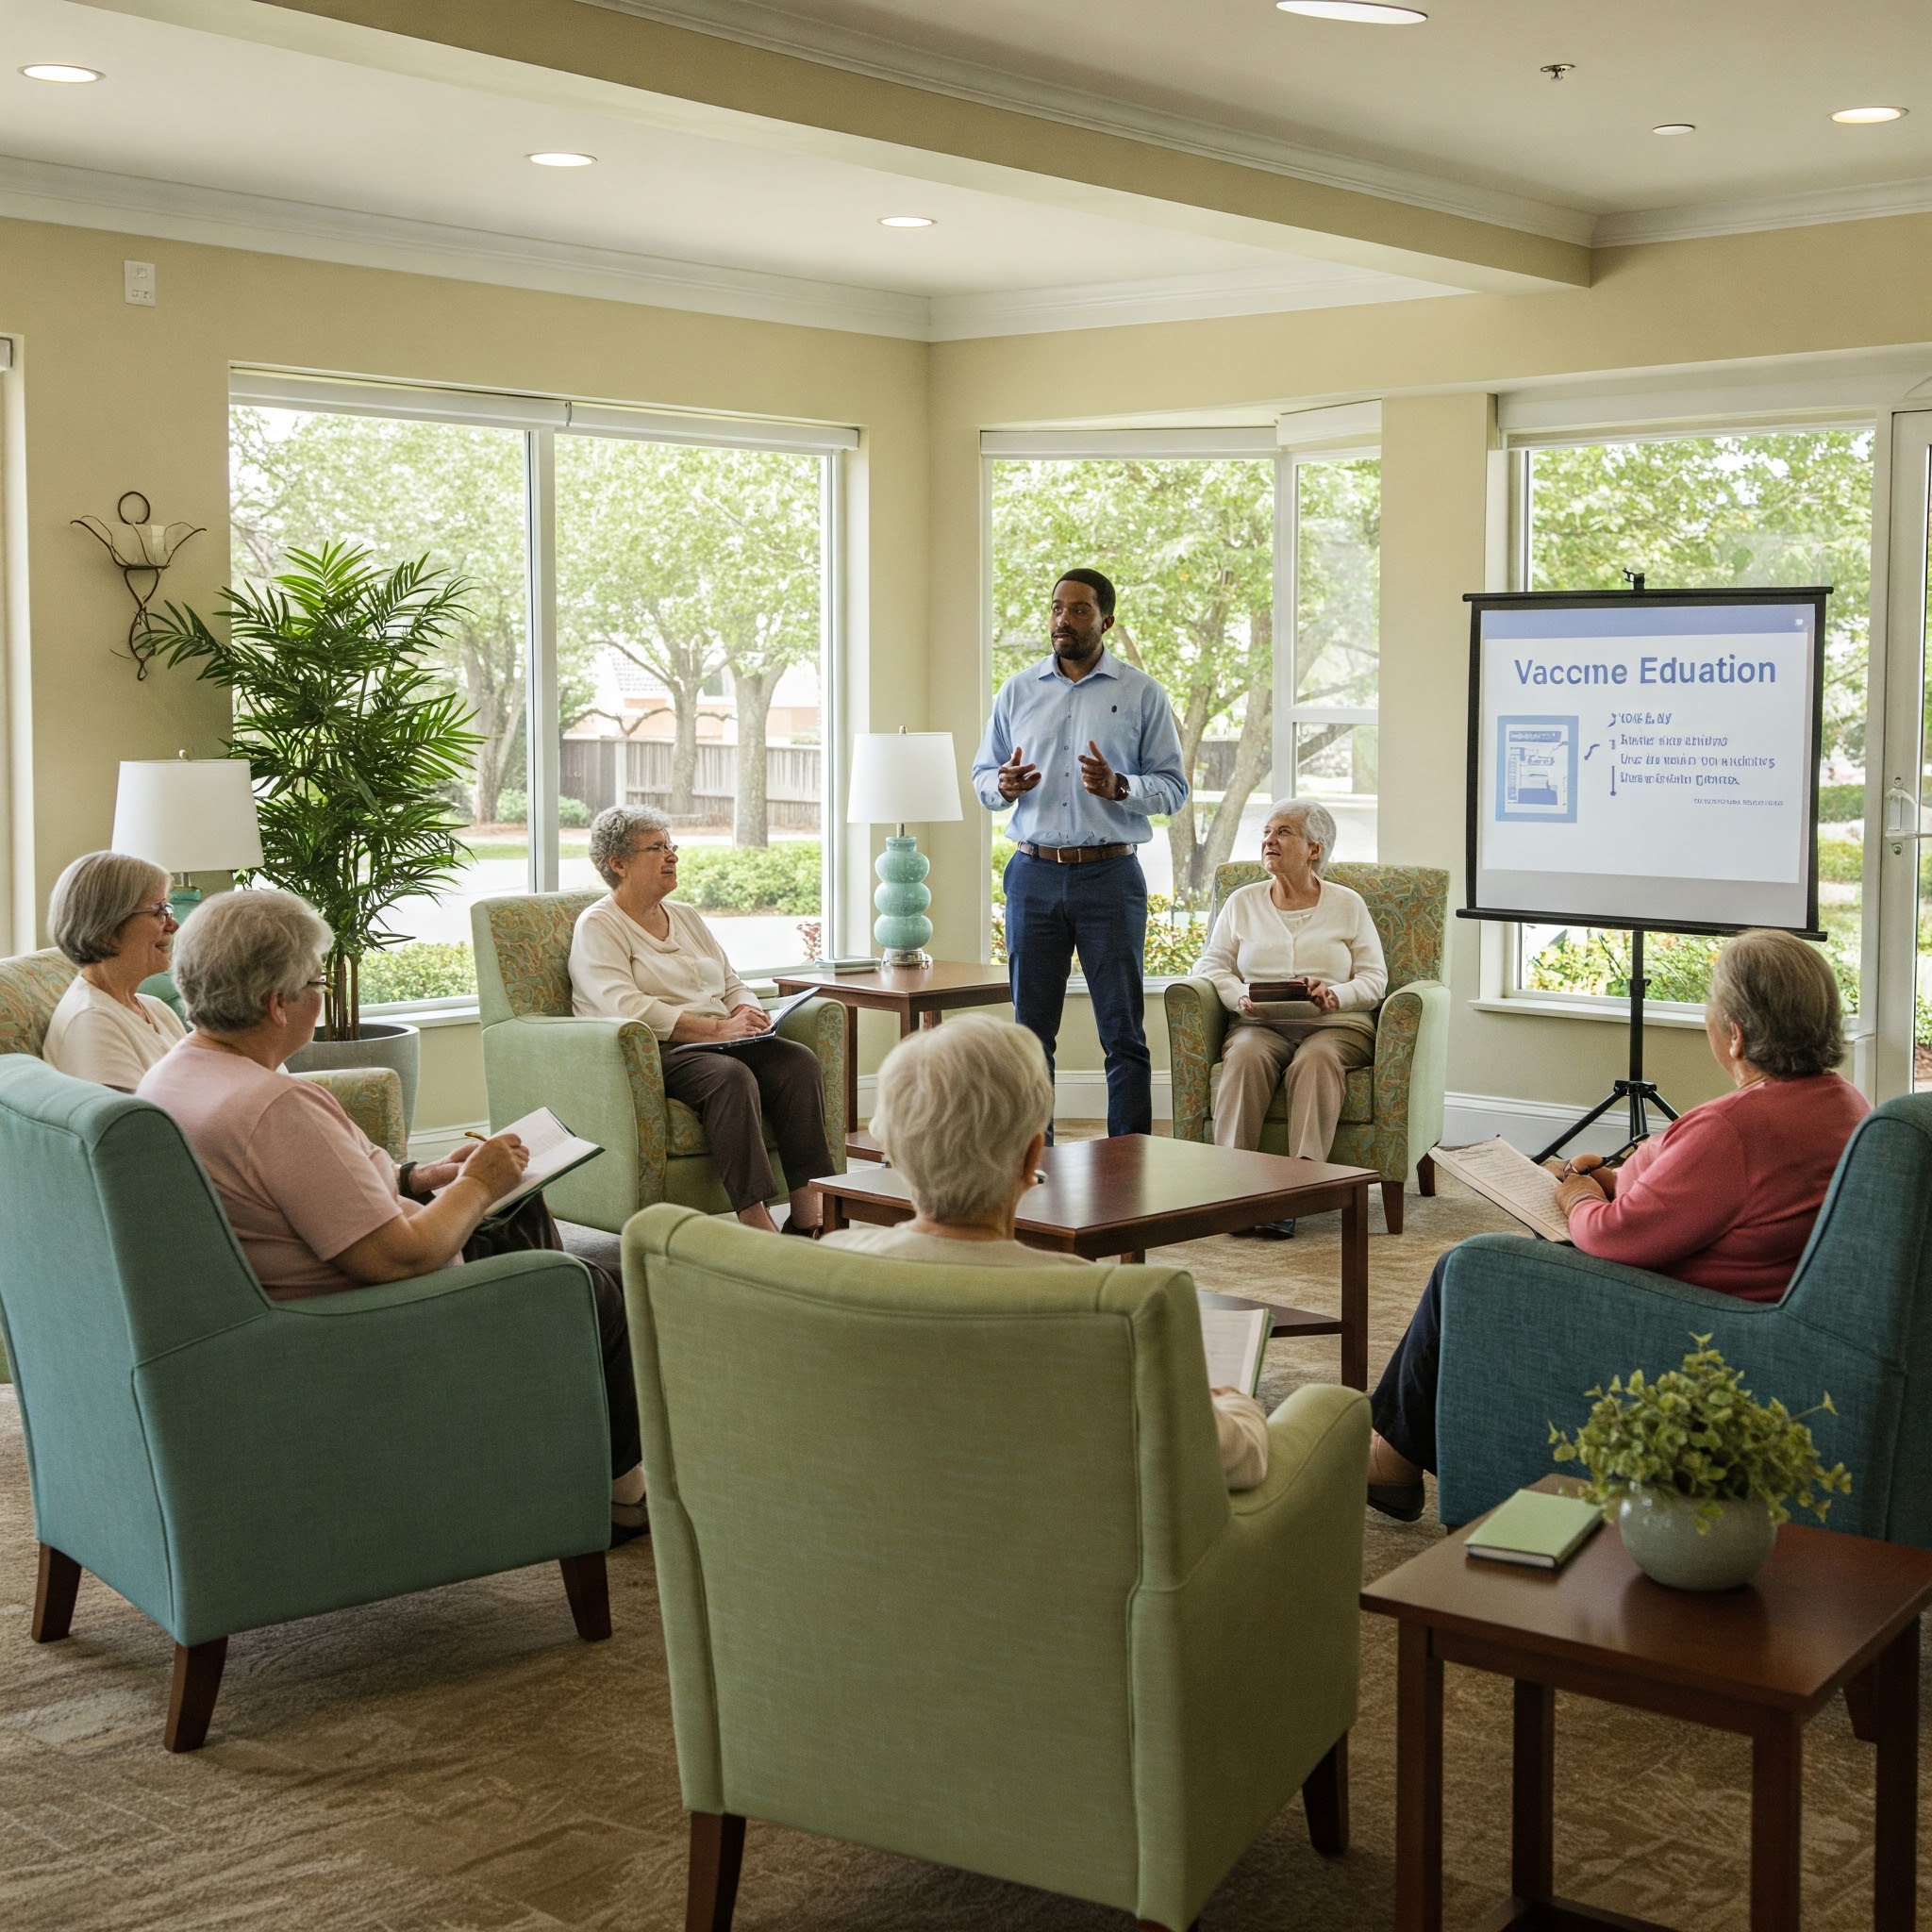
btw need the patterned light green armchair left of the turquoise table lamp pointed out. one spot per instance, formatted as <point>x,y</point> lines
<point>604,1077</point>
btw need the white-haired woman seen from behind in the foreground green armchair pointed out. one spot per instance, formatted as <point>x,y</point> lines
<point>963,1114</point>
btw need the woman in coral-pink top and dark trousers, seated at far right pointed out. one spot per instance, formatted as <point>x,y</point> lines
<point>1724,1197</point>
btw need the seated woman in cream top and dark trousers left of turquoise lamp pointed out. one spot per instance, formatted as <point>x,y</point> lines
<point>644,955</point>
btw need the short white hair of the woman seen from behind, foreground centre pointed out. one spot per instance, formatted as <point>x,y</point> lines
<point>955,1110</point>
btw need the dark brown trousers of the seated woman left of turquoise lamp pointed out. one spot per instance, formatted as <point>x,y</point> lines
<point>737,1093</point>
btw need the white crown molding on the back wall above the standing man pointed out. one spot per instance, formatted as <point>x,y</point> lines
<point>1170,300</point>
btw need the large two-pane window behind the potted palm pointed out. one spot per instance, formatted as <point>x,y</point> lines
<point>654,611</point>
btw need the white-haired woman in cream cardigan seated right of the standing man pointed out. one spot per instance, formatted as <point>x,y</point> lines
<point>1293,926</point>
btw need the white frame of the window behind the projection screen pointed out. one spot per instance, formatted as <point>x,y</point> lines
<point>1533,424</point>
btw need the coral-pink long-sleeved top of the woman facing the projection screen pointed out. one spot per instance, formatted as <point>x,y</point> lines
<point>1728,1195</point>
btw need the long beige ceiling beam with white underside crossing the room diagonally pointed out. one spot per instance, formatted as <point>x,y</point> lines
<point>673,76</point>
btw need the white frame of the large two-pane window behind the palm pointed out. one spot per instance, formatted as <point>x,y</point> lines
<point>540,420</point>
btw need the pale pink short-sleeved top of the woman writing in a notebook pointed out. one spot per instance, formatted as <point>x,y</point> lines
<point>298,1178</point>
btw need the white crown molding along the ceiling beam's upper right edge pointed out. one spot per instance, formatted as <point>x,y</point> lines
<point>882,59</point>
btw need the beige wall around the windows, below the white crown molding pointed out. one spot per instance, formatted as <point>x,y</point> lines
<point>109,397</point>
